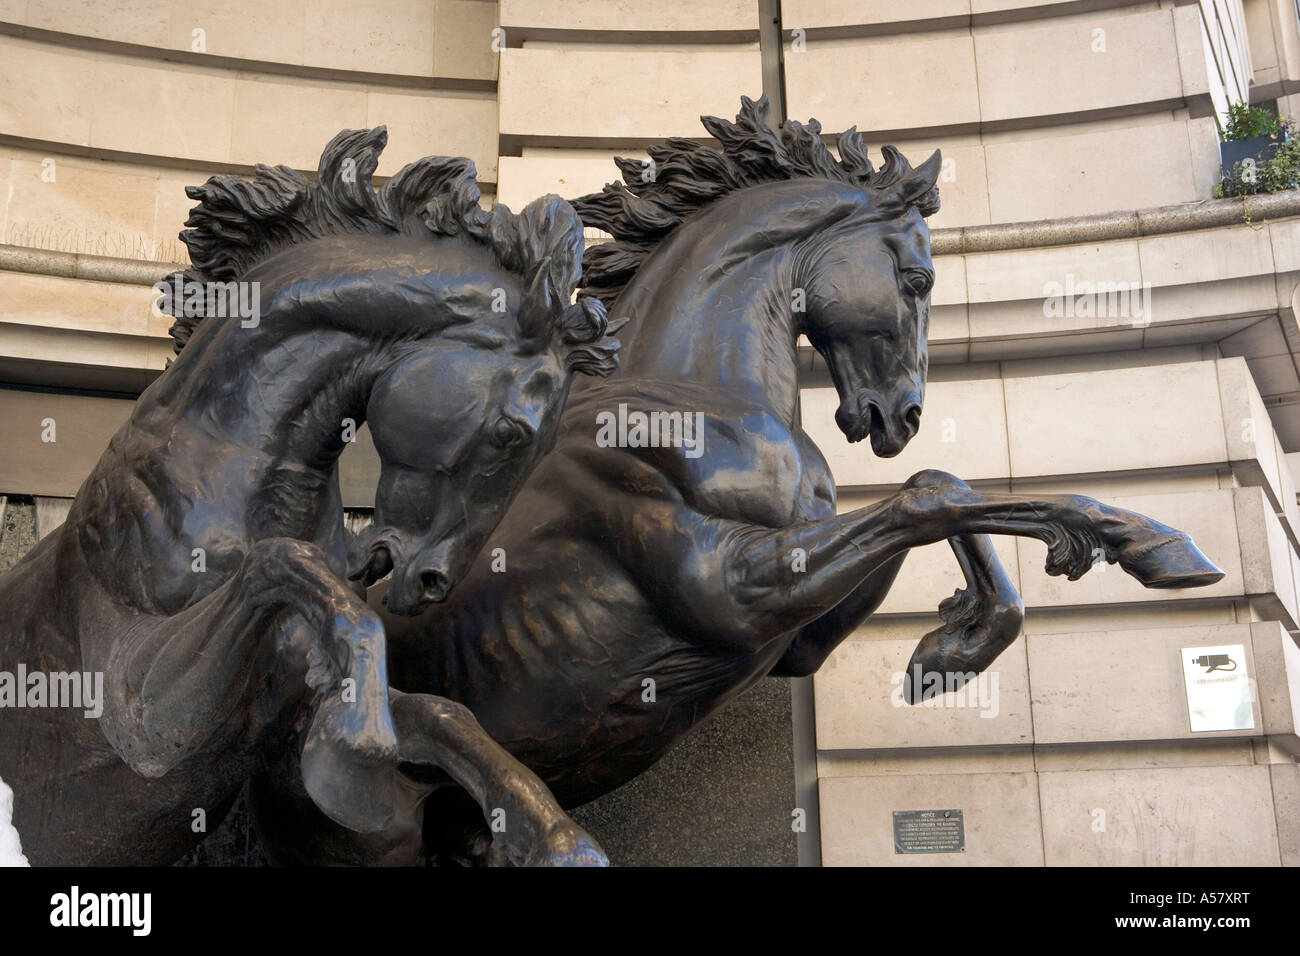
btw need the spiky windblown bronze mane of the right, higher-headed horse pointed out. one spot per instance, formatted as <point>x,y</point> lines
<point>688,176</point>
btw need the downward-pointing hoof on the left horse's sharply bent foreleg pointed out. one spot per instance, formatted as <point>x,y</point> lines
<point>356,788</point>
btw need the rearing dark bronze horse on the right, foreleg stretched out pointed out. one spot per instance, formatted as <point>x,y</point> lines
<point>707,573</point>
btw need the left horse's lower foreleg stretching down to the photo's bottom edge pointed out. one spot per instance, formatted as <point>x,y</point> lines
<point>528,827</point>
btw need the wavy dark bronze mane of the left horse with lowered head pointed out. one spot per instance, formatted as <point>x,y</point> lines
<point>240,220</point>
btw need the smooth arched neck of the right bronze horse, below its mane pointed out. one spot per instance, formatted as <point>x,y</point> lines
<point>713,306</point>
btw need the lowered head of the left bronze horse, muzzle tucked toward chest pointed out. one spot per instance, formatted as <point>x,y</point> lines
<point>458,427</point>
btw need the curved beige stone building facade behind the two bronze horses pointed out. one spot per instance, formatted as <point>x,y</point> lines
<point>1100,326</point>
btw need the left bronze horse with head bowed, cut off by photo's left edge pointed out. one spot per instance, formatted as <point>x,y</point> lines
<point>203,568</point>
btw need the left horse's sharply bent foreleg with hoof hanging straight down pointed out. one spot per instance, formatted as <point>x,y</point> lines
<point>213,677</point>
